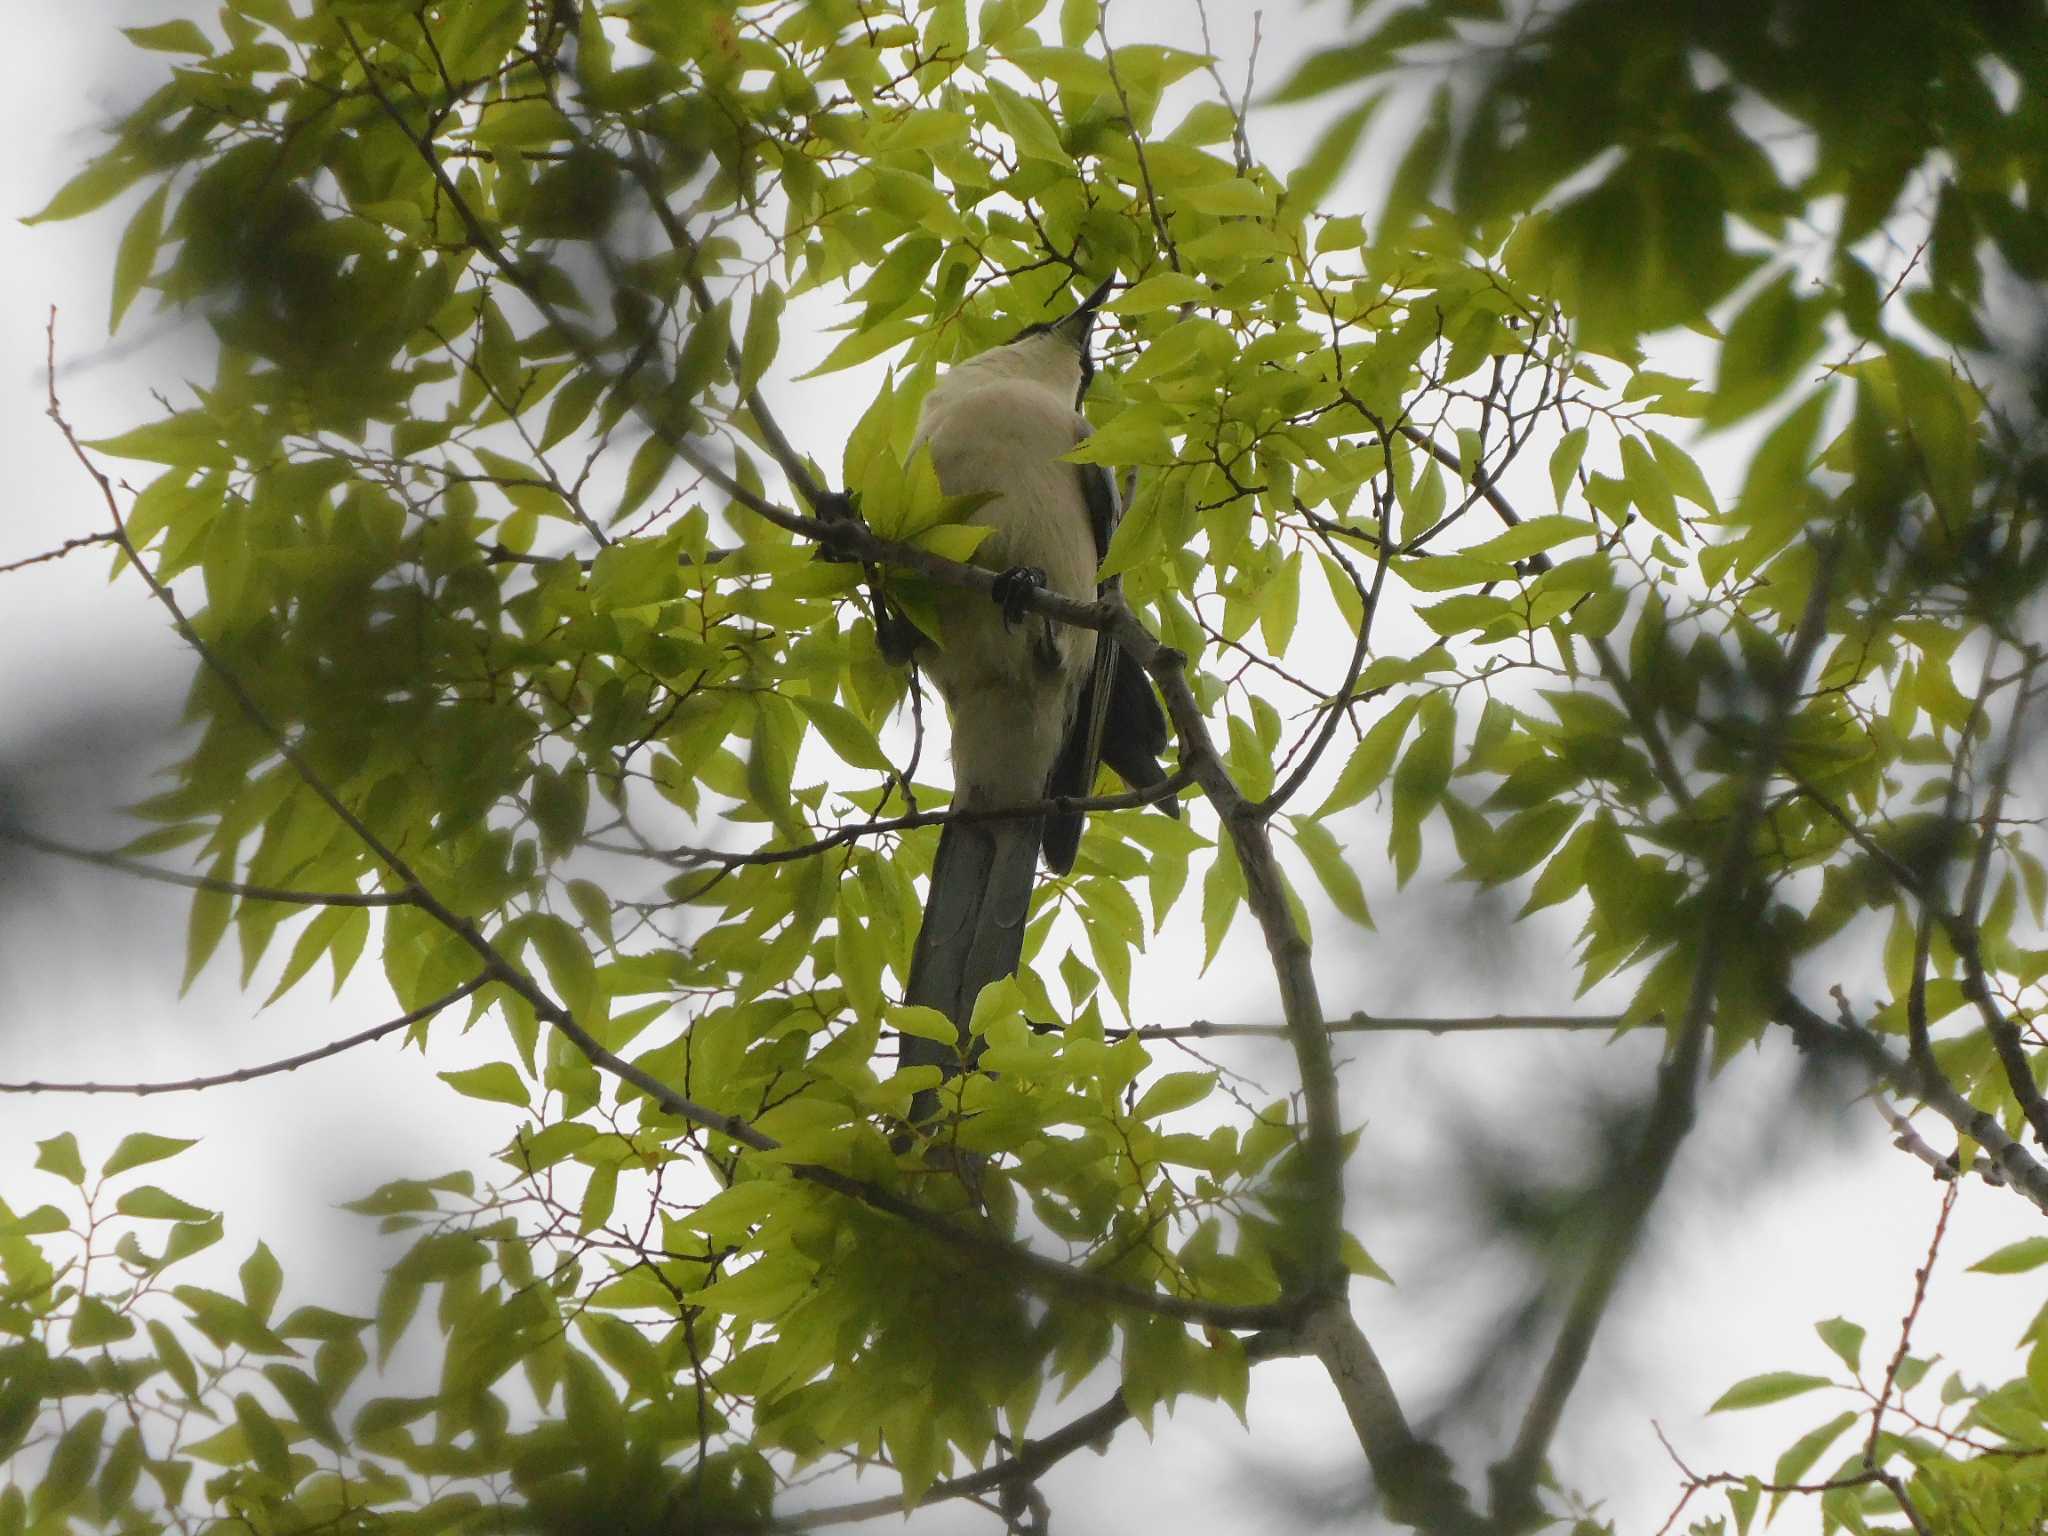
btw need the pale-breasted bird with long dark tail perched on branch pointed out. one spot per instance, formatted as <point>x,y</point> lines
<point>1037,706</point>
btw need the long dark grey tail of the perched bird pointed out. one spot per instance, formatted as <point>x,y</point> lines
<point>972,933</point>
